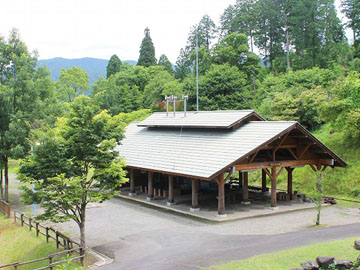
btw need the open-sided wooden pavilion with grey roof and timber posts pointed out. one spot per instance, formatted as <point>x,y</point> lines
<point>209,145</point>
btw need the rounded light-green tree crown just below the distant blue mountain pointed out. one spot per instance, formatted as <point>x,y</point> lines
<point>72,82</point>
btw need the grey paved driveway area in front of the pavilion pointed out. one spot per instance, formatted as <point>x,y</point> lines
<point>142,238</point>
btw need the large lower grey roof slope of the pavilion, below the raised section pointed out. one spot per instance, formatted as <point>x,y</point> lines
<point>194,152</point>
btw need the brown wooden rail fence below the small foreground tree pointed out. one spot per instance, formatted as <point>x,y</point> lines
<point>60,239</point>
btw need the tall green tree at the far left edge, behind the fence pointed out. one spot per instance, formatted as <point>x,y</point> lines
<point>21,91</point>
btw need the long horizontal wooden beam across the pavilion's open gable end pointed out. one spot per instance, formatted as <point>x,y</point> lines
<point>283,163</point>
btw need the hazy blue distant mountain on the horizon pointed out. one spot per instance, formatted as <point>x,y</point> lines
<point>94,67</point>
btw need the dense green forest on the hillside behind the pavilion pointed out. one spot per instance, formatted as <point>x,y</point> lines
<point>310,73</point>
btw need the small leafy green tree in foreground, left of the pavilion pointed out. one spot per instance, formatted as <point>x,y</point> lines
<point>75,164</point>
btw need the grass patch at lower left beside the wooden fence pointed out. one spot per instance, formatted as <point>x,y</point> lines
<point>17,244</point>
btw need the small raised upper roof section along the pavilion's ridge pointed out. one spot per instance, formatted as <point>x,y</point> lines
<point>202,119</point>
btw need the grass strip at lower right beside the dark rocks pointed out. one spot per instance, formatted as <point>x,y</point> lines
<point>284,260</point>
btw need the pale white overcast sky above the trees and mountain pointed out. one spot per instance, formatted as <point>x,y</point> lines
<point>101,28</point>
